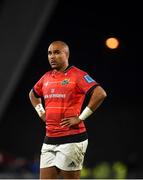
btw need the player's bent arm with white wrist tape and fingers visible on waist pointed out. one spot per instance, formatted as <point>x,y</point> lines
<point>97,97</point>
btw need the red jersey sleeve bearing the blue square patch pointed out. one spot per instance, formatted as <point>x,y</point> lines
<point>86,82</point>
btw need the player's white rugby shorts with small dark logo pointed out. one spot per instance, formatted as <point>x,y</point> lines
<point>68,157</point>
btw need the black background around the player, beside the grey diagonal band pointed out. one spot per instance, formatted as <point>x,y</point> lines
<point>115,130</point>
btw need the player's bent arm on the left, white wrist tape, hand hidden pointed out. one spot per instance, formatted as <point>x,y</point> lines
<point>37,104</point>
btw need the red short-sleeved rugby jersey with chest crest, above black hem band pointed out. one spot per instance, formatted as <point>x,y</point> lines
<point>64,93</point>
